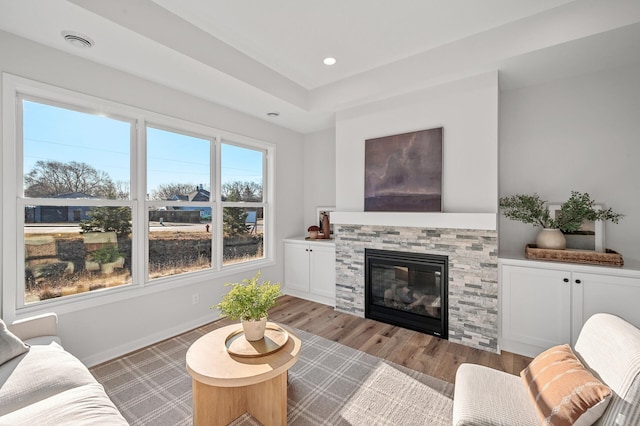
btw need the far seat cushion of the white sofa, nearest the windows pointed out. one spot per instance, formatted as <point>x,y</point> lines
<point>38,374</point>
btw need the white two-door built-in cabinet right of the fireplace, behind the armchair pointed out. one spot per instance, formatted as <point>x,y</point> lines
<point>543,304</point>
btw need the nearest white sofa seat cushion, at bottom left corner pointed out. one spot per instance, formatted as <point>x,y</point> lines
<point>84,405</point>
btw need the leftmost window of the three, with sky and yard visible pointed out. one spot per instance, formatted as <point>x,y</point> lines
<point>77,213</point>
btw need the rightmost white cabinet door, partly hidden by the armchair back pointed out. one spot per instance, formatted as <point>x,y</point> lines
<point>594,293</point>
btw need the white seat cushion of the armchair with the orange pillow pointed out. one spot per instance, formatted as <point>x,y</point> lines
<point>484,397</point>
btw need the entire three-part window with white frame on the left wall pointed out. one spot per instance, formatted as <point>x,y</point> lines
<point>113,197</point>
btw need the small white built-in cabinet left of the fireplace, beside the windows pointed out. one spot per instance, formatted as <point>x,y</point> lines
<point>310,270</point>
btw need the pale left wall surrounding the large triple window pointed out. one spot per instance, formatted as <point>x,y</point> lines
<point>104,331</point>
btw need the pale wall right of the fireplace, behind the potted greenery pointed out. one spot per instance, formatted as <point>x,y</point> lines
<point>582,134</point>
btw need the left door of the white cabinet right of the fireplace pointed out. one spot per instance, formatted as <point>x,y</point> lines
<point>536,307</point>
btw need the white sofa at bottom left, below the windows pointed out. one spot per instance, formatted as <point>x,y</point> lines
<point>47,385</point>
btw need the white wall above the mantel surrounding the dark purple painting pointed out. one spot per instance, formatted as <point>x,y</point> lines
<point>468,112</point>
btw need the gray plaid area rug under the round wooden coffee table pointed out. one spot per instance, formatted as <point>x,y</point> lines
<point>331,384</point>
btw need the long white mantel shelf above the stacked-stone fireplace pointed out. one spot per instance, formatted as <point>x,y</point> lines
<point>483,221</point>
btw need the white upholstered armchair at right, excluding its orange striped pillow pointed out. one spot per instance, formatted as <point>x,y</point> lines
<point>607,345</point>
